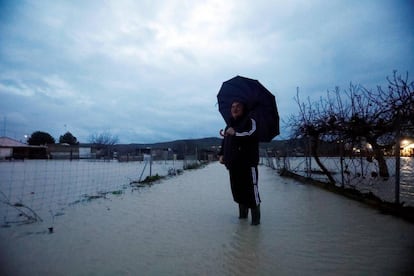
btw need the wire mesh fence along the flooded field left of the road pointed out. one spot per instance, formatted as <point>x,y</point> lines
<point>36,190</point>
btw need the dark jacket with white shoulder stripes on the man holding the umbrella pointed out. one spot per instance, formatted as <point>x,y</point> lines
<point>242,149</point>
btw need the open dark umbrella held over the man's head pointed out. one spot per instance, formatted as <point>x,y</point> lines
<point>261,104</point>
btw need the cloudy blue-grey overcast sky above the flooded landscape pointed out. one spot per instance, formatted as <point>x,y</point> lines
<point>149,71</point>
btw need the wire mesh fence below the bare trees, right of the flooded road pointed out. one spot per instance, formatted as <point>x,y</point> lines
<point>357,172</point>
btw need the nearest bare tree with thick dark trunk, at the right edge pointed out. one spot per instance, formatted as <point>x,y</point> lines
<point>378,114</point>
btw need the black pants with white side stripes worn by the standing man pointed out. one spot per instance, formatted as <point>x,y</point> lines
<point>243,181</point>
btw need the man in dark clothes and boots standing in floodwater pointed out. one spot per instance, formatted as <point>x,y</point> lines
<point>240,154</point>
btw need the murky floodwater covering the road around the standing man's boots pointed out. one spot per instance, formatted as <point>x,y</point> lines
<point>188,225</point>
